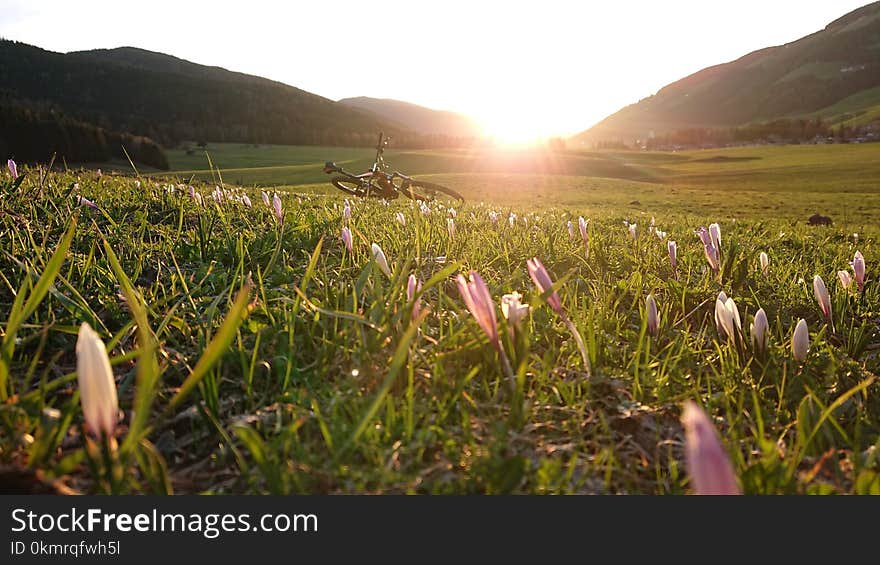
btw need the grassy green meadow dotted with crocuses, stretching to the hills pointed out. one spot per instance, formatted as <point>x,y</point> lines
<point>253,355</point>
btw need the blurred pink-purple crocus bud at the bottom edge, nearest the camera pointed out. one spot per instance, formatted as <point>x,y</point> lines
<point>707,463</point>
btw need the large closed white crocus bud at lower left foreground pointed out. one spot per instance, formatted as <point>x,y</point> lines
<point>97,389</point>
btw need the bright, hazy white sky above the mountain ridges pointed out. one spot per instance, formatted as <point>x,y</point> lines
<point>540,67</point>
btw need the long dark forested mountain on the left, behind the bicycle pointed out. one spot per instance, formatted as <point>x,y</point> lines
<point>169,99</point>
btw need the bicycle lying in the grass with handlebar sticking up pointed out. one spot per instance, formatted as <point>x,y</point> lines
<point>379,183</point>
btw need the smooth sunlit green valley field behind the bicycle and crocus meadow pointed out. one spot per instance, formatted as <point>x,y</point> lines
<point>791,182</point>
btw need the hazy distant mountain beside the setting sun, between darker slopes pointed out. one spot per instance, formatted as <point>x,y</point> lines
<point>417,118</point>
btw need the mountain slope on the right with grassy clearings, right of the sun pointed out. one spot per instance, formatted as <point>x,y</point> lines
<point>833,74</point>
